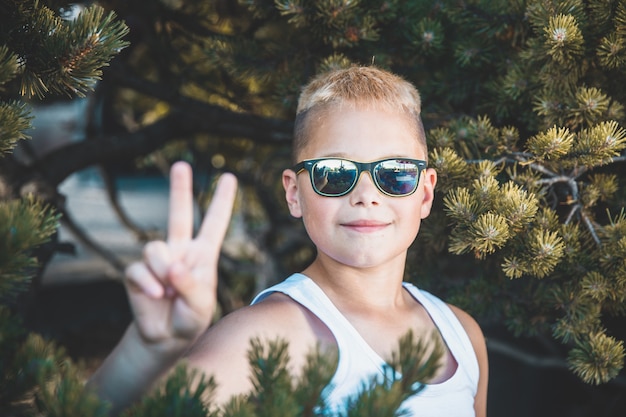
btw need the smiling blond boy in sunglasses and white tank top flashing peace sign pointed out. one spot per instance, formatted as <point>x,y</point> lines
<point>351,299</point>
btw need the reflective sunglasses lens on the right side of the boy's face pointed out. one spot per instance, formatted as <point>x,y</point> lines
<point>397,177</point>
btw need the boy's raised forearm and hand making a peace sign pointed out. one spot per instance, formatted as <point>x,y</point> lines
<point>172,292</point>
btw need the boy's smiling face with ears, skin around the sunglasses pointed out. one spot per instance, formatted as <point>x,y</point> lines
<point>364,228</point>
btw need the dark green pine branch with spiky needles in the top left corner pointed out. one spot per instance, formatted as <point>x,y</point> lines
<point>61,56</point>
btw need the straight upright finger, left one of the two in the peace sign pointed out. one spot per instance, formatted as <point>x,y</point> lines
<point>180,219</point>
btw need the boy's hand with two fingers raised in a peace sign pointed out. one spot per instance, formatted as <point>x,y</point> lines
<point>173,290</point>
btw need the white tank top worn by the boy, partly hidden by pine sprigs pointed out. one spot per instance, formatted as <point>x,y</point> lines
<point>358,362</point>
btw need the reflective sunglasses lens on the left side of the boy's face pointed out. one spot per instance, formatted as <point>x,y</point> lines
<point>333,176</point>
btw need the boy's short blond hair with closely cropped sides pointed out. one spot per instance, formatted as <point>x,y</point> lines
<point>357,87</point>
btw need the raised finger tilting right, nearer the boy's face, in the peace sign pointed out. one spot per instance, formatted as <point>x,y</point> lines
<point>218,215</point>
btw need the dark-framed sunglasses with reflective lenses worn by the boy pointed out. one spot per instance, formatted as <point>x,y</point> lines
<point>334,177</point>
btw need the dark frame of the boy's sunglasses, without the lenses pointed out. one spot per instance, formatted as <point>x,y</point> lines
<point>308,164</point>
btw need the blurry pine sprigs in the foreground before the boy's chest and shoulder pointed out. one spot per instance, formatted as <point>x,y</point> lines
<point>277,391</point>
